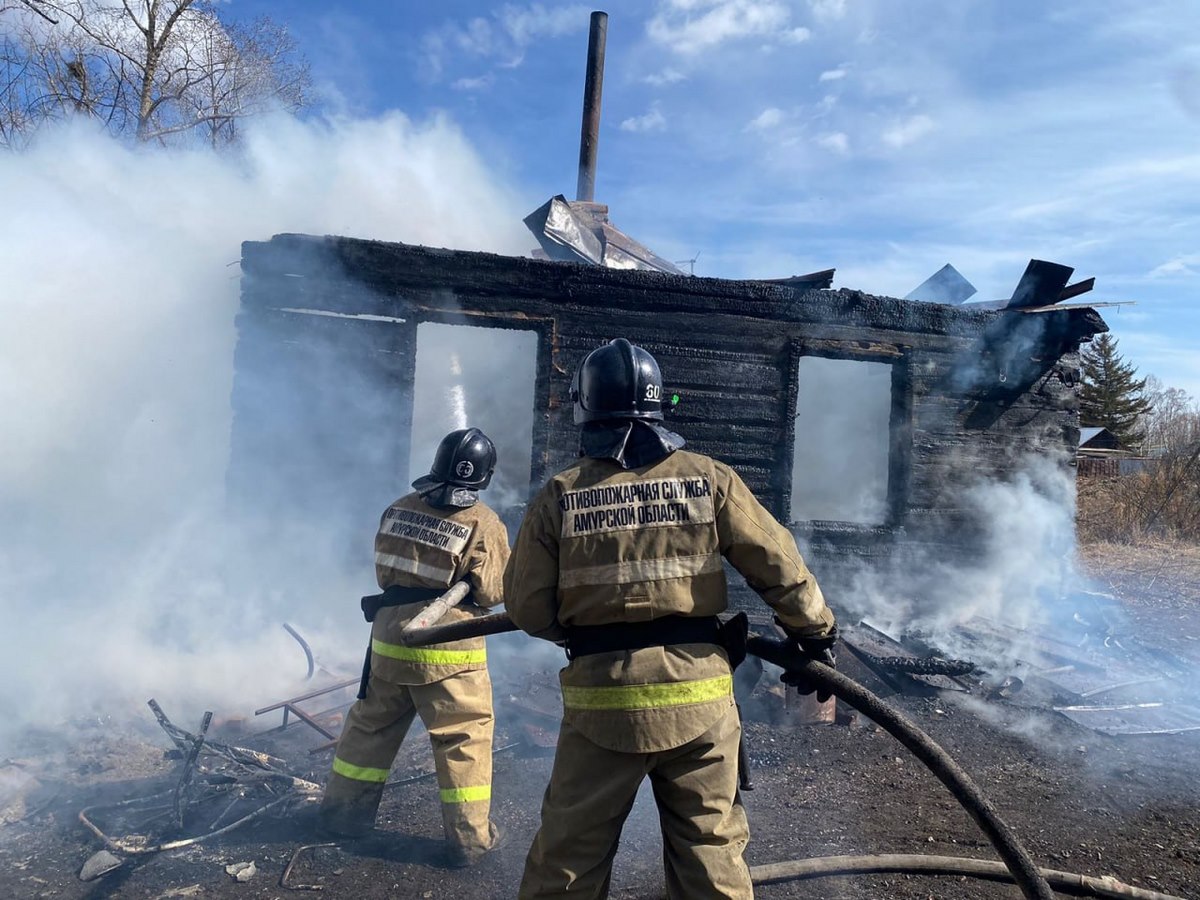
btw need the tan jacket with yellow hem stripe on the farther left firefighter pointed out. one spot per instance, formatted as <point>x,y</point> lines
<point>419,545</point>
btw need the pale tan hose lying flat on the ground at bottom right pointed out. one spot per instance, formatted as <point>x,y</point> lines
<point>823,867</point>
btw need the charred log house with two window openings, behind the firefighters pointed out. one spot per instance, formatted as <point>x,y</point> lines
<point>857,419</point>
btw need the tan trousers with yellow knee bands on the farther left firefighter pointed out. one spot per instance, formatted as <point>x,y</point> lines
<point>458,713</point>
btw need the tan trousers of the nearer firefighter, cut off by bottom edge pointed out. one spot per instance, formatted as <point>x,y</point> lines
<point>592,791</point>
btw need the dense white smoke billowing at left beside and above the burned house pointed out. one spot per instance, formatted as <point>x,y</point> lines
<point>119,290</point>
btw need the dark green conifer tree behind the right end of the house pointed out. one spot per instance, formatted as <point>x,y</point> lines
<point>1112,397</point>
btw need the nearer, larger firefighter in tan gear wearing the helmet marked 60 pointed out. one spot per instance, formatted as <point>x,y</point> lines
<point>621,557</point>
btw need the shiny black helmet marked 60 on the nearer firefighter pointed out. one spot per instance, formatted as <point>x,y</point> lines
<point>619,381</point>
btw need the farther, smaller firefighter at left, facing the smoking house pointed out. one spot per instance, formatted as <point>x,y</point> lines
<point>429,541</point>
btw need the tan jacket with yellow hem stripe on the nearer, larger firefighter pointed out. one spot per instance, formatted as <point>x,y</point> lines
<point>602,544</point>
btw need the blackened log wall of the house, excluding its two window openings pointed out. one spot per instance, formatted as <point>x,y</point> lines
<point>971,391</point>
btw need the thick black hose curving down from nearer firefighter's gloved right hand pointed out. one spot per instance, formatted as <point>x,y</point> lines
<point>1025,872</point>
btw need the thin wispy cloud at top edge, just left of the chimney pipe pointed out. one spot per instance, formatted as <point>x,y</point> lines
<point>505,37</point>
